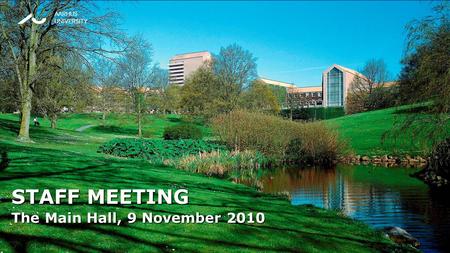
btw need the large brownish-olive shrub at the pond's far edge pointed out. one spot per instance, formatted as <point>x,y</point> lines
<point>278,139</point>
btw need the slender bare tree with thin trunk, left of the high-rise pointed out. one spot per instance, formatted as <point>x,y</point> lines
<point>134,71</point>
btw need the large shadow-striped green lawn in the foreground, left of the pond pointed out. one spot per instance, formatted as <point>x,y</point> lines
<point>64,158</point>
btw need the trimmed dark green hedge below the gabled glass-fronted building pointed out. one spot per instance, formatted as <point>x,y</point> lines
<point>318,113</point>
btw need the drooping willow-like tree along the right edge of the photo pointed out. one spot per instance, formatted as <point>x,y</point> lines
<point>425,76</point>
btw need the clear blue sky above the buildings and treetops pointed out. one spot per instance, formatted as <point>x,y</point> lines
<point>294,41</point>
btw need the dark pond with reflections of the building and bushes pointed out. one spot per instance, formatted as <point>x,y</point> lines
<point>377,196</point>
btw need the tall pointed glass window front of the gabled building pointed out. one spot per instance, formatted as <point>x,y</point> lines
<point>335,88</point>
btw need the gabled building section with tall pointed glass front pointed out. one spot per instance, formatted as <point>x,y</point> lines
<point>336,83</point>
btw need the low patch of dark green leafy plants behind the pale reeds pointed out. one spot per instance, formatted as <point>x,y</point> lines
<point>156,150</point>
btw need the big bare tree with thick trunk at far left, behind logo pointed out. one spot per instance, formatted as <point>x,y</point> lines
<point>29,42</point>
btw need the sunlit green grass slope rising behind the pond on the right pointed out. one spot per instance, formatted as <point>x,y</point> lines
<point>363,133</point>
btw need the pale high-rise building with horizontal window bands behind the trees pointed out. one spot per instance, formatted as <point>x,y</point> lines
<point>182,65</point>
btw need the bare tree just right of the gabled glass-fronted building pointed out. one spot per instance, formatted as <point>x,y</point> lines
<point>373,77</point>
